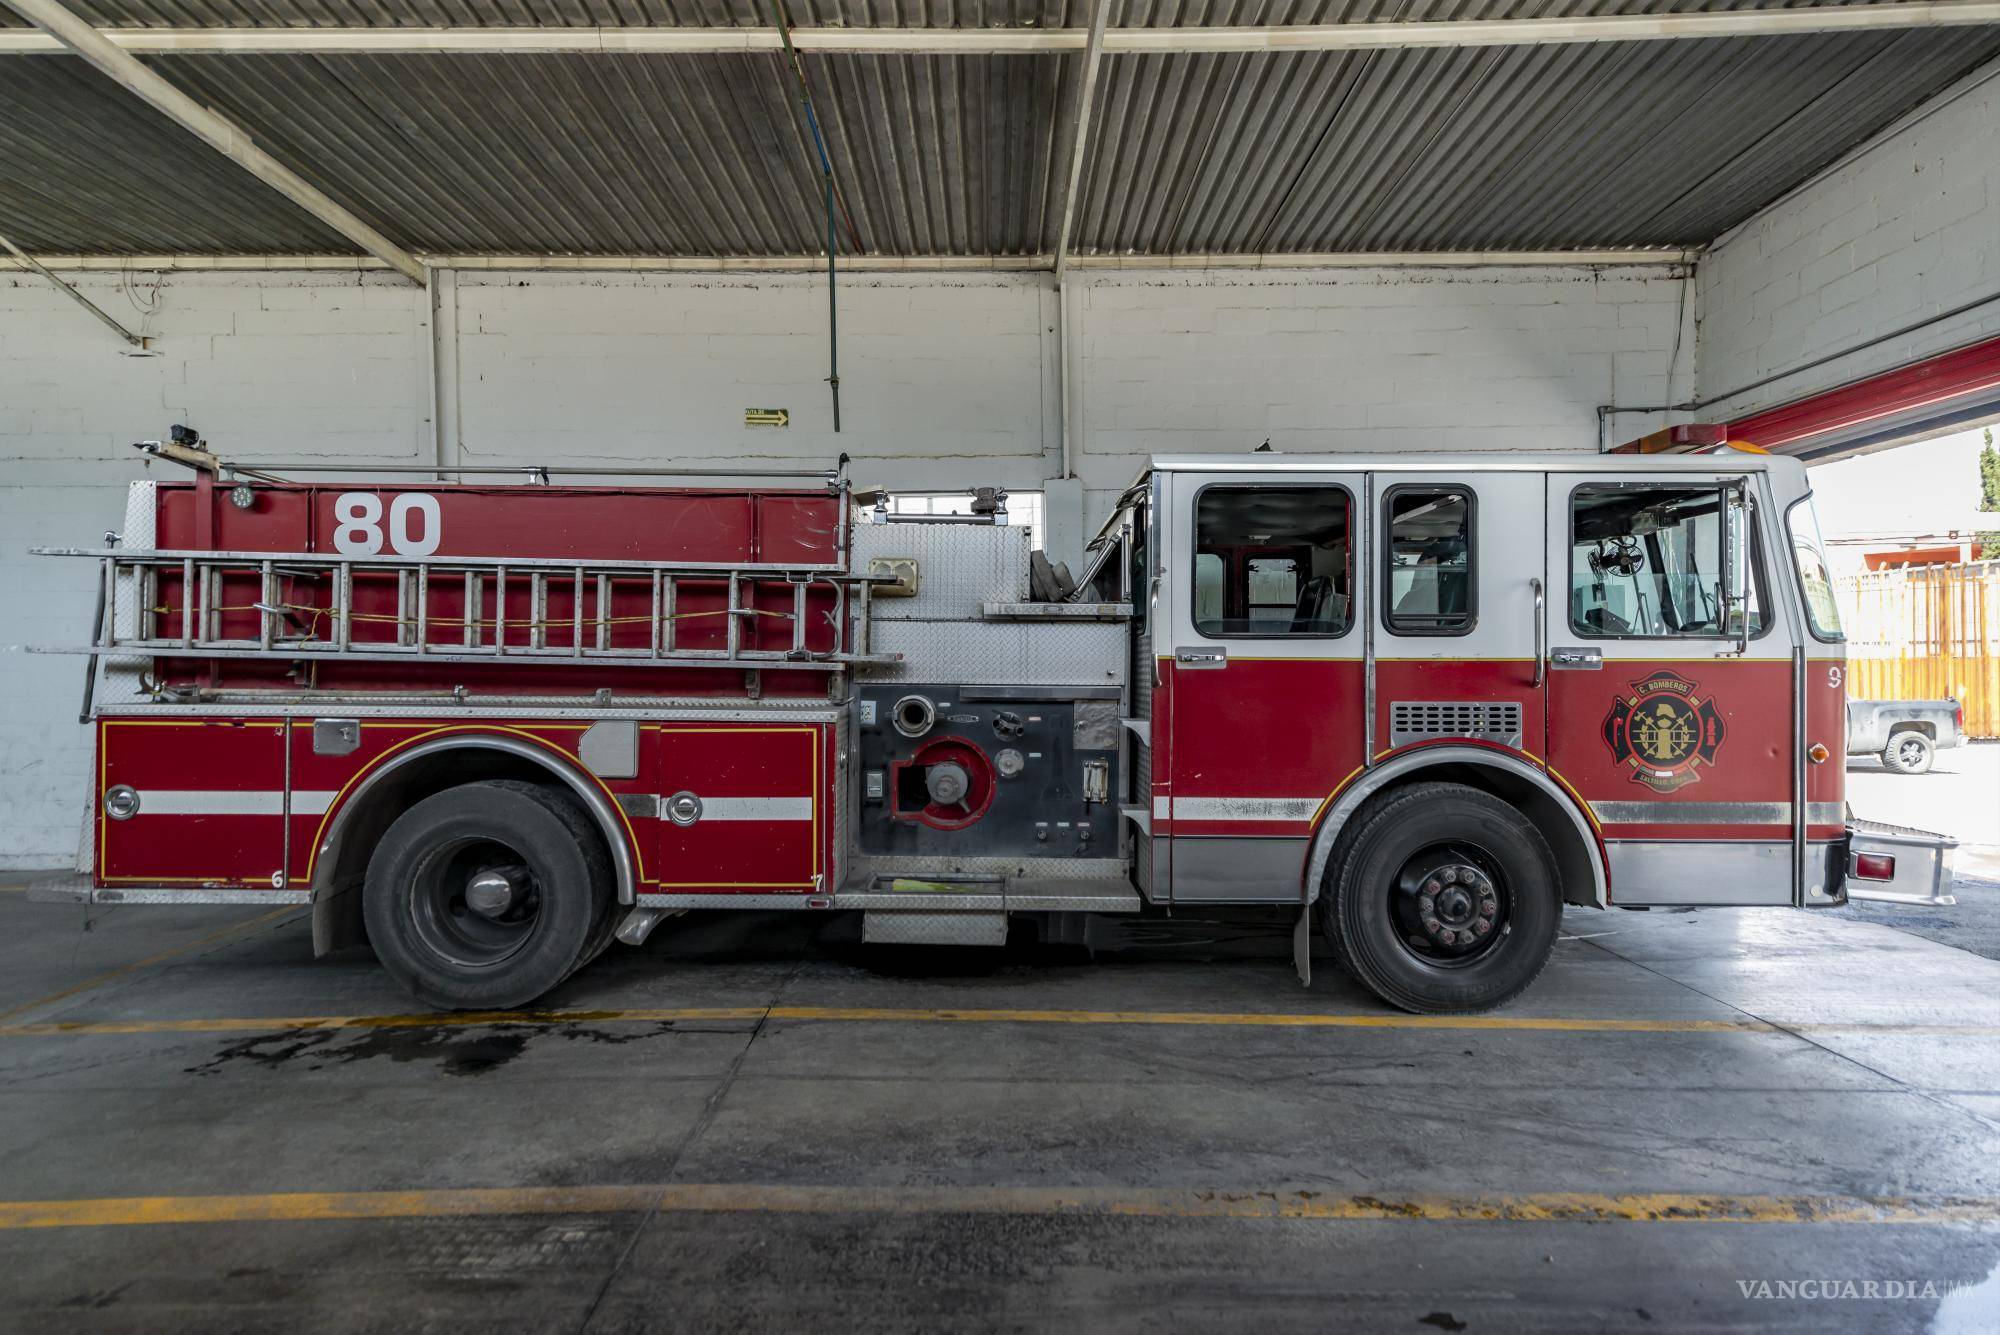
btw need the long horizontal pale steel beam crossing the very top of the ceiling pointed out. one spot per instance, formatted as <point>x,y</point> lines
<point>1023,41</point>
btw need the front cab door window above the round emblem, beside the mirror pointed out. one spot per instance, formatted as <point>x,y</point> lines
<point>1647,565</point>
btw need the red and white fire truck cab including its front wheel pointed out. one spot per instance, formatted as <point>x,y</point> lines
<point>1441,698</point>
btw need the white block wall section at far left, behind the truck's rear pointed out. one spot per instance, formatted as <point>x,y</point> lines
<point>307,367</point>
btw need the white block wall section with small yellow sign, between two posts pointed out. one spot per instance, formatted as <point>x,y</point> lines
<point>941,379</point>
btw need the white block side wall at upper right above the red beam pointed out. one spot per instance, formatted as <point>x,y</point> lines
<point>1901,231</point>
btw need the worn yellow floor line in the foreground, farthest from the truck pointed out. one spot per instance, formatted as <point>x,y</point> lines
<point>1105,1202</point>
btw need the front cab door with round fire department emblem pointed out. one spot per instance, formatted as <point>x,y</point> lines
<point>1667,712</point>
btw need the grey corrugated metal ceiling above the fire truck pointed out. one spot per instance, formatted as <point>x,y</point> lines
<point>1489,149</point>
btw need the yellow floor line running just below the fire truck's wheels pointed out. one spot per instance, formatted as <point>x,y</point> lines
<point>867,1014</point>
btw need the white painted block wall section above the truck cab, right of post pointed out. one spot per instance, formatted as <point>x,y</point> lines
<point>1493,359</point>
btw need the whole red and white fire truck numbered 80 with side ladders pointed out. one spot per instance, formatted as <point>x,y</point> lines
<point>1419,702</point>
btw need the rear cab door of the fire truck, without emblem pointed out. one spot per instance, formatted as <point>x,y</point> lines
<point>1261,674</point>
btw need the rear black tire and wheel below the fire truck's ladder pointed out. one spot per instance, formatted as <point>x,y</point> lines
<point>555,880</point>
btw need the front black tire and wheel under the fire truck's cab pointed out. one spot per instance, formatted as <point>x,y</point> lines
<point>1479,862</point>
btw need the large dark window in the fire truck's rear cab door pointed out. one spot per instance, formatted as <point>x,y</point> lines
<point>1273,561</point>
